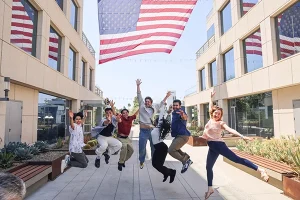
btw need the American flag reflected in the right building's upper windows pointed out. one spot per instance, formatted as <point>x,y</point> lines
<point>289,32</point>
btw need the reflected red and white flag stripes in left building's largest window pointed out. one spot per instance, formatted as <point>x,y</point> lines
<point>21,27</point>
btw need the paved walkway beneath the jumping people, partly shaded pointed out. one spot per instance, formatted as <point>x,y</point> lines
<point>107,183</point>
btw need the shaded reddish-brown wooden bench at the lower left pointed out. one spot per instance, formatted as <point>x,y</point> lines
<point>34,176</point>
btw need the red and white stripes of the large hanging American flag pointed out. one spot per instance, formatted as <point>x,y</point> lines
<point>159,27</point>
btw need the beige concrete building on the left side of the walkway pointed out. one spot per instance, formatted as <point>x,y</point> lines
<point>51,66</point>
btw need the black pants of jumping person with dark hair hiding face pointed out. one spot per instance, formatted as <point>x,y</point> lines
<point>159,157</point>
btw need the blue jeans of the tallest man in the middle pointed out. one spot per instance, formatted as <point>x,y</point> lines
<point>145,135</point>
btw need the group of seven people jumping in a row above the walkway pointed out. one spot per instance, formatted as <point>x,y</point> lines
<point>172,119</point>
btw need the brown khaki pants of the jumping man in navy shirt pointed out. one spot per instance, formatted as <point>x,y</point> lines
<point>175,151</point>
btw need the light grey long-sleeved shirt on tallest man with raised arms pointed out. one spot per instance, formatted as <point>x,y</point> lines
<point>145,113</point>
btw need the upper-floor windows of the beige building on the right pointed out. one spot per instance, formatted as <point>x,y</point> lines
<point>288,44</point>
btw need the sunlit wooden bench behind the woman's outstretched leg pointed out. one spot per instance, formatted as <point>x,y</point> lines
<point>276,170</point>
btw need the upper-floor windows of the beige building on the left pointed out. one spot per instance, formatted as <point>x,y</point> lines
<point>23,35</point>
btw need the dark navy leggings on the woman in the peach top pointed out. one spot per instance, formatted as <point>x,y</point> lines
<point>216,148</point>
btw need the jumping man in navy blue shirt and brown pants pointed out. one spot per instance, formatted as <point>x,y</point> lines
<point>181,134</point>
